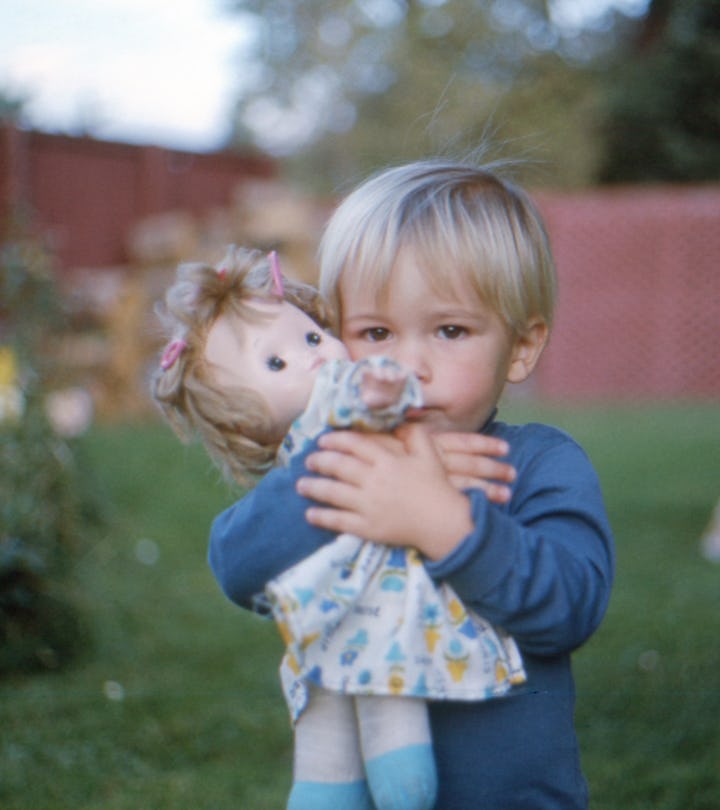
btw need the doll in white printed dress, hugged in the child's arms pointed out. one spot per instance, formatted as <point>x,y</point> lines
<point>361,620</point>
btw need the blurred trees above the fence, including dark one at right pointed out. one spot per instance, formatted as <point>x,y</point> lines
<point>341,88</point>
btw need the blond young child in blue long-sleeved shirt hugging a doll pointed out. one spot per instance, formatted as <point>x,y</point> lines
<point>446,268</point>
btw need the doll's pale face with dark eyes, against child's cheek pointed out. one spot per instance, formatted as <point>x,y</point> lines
<point>278,356</point>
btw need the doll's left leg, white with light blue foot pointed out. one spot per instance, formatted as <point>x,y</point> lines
<point>328,770</point>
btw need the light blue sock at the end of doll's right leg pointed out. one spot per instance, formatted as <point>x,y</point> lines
<point>403,779</point>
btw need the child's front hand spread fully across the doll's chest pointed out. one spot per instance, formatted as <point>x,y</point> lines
<point>387,489</point>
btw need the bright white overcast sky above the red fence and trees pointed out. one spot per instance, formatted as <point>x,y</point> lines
<point>164,72</point>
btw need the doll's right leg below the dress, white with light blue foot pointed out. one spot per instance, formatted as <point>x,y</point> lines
<point>396,746</point>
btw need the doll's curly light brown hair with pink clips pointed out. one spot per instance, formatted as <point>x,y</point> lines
<point>234,425</point>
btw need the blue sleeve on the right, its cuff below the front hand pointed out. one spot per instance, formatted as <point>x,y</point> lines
<point>542,567</point>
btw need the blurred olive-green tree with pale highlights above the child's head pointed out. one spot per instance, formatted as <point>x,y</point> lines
<point>343,86</point>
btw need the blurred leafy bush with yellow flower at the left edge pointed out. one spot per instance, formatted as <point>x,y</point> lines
<point>43,510</point>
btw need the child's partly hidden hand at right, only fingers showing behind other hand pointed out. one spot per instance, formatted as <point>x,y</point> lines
<point>471,462</point>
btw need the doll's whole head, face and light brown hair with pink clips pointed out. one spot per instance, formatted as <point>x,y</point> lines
<point>226,326</point>
